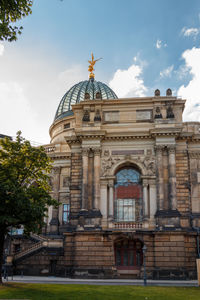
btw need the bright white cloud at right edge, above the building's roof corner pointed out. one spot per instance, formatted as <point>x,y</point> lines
<point>191,91</point>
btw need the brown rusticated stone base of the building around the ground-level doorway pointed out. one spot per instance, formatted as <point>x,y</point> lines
<point>170,255</point>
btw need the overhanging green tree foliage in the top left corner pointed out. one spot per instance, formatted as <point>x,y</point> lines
<point>12,11</point>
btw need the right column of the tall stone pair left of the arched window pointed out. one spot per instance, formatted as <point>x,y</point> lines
<point>97,164</point>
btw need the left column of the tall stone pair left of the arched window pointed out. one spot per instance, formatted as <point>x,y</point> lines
<point>85,178</point>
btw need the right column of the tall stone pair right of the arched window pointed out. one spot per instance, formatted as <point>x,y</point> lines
<point>172,177</point>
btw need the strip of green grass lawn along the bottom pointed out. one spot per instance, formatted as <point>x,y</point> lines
<point>96,292</point>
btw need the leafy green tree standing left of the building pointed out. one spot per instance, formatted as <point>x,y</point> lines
<point>24,187</point>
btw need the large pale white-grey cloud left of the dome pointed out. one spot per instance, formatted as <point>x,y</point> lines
<point>30,92</point>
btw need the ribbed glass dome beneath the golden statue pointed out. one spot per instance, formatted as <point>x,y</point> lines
<point>84,90</point>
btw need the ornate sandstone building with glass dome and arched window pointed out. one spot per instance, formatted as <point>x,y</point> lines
<point>126,174</point>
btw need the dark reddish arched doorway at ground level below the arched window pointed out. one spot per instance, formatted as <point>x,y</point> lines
<point>128,254</point>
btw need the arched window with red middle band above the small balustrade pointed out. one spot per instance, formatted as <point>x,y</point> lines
<point>128,196</point>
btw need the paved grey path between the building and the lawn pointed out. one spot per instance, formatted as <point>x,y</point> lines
<point>64,280</point>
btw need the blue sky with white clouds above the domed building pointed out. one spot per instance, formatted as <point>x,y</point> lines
<point>145,44</point>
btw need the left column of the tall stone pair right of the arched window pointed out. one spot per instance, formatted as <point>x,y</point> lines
<point>160,188</point>
